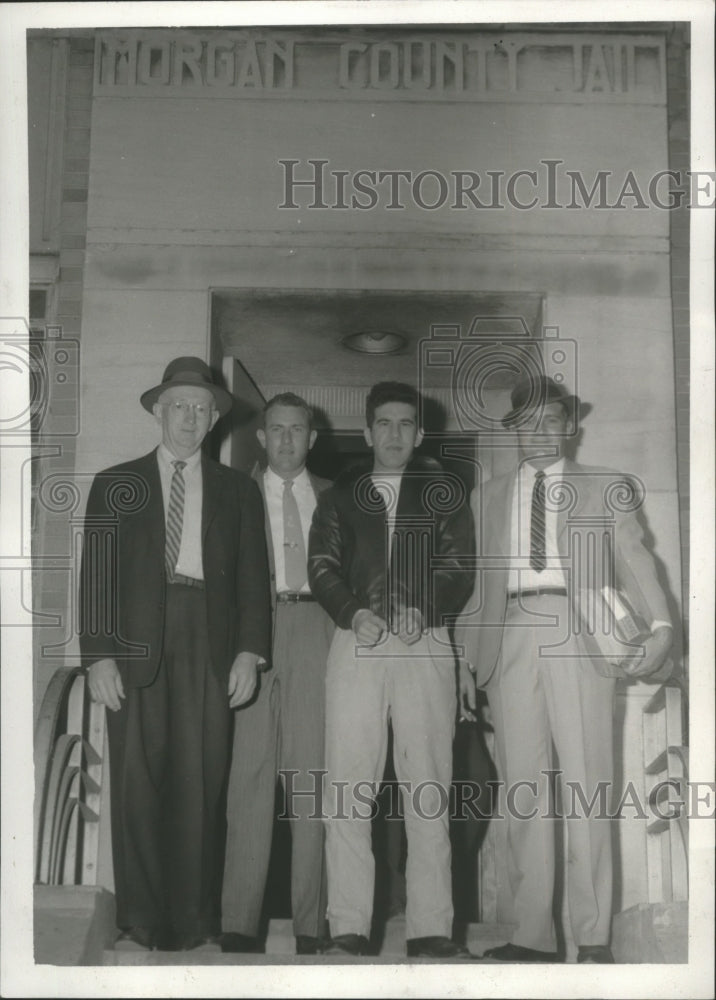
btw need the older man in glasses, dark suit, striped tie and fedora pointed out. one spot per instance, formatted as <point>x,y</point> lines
<point>174,623</point>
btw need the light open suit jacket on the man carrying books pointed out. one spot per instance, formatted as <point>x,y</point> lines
<point>595,500</point>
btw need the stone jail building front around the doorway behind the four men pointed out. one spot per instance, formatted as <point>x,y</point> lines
<point>172,187</point>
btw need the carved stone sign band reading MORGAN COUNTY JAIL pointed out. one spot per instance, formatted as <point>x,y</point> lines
<point>445,66</point>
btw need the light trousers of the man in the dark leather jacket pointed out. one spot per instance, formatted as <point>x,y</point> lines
<point>414,686</point>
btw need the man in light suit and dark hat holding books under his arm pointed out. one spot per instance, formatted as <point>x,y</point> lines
<point>550,534</point>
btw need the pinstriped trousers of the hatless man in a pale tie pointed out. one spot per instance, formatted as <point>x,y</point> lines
<point>283,727</point>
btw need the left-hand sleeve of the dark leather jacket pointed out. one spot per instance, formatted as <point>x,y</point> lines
<point>325,576</point>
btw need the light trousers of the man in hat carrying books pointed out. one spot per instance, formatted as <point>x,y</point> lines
<point>539,696</point>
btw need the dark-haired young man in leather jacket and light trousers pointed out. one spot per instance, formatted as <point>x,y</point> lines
<point>387,560</point>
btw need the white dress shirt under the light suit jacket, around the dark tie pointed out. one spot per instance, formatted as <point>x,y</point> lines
<point>521,575</point>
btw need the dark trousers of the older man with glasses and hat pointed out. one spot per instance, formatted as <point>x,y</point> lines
<point>168,758</point>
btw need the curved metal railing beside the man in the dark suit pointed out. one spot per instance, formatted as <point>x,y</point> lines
<point>69,759</point>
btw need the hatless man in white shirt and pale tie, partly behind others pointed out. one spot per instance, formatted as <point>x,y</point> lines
<point>281,729</point>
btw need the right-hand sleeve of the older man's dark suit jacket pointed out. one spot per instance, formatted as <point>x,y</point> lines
<point>253,602</point>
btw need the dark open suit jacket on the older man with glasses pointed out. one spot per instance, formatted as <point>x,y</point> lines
<point>123,583</point>
